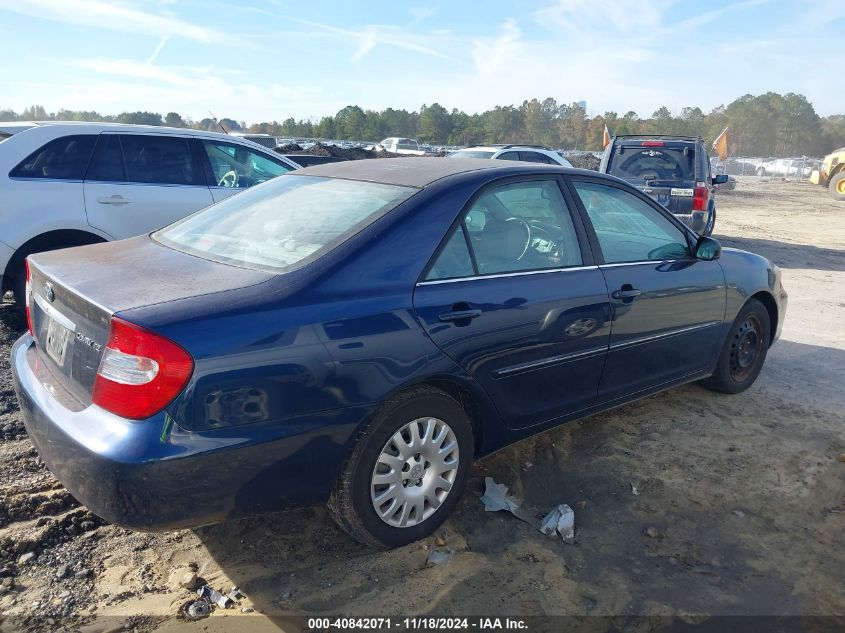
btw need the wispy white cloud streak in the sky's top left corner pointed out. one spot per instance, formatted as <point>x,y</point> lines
<point>115,16</point>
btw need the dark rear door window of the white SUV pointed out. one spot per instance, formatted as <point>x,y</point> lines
<point>161,160</point>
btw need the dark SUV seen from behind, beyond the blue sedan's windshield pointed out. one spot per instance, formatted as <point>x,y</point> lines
<point>674,170</point>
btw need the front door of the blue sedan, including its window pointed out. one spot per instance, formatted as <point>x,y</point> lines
<point>668,307</point>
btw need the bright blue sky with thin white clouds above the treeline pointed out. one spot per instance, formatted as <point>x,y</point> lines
<point>273,59</point>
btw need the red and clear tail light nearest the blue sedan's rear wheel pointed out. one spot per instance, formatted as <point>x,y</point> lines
<point>140,372</point>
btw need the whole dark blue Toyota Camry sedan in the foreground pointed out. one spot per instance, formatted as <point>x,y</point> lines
<point>361,331</point>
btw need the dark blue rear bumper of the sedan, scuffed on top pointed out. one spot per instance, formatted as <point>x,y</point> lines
<point>151,475</point>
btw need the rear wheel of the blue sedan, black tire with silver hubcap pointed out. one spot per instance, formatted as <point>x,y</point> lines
<point>353,501</point>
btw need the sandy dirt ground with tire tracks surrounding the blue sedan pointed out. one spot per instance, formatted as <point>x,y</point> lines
<point>740,506</point>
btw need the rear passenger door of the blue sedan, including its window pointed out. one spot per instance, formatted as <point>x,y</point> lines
<point>512,298</point>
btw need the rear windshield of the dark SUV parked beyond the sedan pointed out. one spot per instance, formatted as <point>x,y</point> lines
<point>653,163</point>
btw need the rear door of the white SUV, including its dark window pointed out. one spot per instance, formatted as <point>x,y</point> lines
<point>137,183</point>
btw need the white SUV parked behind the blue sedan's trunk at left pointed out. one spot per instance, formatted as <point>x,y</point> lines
<point>68,184</point>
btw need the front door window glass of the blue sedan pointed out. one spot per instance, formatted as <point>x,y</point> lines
<point>629,229</point>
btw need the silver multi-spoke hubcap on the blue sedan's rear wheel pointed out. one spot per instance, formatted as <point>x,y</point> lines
<point>414,472</point>
